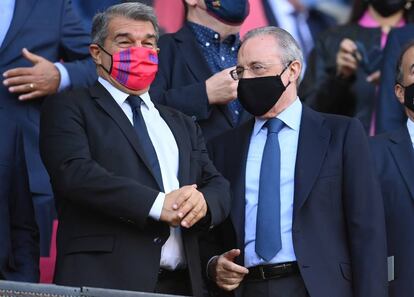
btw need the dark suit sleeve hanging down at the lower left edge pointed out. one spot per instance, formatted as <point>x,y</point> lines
<point>24,231</point>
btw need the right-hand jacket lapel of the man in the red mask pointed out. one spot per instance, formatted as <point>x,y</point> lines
<point>180,138</point>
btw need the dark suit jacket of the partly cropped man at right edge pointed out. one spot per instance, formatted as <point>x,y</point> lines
<point>394,156</point>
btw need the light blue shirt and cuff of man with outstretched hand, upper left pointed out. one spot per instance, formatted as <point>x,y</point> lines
<point>6,17</point>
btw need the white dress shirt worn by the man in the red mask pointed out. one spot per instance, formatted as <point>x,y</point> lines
<point>172,253</point>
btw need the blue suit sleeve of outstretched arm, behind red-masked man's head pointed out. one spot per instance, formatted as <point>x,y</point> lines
<point>74,48</point>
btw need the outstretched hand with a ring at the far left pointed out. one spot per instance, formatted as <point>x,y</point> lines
<point>41,79</point>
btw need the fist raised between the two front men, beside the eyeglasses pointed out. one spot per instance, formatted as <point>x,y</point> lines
<point>221,87</point>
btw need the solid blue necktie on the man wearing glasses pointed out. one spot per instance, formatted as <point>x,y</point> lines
<point>268,238</point>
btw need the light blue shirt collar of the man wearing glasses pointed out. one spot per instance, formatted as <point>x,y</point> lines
<point>291,117</point>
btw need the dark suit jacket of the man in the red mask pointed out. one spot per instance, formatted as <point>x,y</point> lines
<point>104,191</point>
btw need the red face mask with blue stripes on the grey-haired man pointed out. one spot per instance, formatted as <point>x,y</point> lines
<point>134,68</point>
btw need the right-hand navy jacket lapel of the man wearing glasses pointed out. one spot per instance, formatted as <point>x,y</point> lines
<point>312,147</point>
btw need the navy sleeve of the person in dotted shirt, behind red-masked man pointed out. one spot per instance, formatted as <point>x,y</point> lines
<point>172,89</point>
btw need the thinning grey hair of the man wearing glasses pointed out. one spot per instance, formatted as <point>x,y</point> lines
<point>290,50</point>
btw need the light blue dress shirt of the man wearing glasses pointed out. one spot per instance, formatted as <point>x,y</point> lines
<point>288,140</point>
